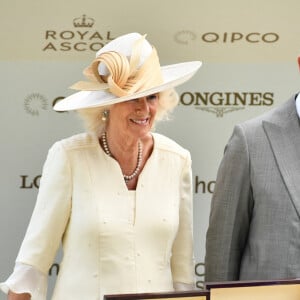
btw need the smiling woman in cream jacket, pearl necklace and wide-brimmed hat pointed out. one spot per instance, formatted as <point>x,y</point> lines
<point>119,197</point>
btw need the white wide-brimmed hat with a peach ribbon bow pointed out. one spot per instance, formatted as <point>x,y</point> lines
<point>124,69</point>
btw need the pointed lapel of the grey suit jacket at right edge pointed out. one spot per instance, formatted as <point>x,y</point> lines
<point>283,132</point>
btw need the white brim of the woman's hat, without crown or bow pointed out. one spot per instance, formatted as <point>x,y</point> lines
<point>173,75</point>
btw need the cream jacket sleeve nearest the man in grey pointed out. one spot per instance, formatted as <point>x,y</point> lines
<point>182,262</point>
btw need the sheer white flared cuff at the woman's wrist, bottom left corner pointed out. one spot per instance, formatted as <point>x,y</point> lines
<point>26,279</point>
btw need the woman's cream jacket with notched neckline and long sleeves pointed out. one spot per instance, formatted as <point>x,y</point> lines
<point>114,240</point>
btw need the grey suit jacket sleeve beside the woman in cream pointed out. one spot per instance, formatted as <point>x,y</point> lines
<point>230,212</point>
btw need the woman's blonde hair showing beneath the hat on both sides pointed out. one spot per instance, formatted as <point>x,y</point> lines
<point>93,117</point>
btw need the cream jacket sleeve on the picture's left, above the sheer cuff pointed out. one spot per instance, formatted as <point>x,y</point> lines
<point>51,212</point>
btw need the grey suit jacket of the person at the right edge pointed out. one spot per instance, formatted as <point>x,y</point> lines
<point>254,227</point>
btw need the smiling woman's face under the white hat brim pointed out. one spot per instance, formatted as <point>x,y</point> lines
<point>134,117</point>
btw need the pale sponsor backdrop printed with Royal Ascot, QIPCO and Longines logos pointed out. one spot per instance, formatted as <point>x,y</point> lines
<point>248,49</point>
